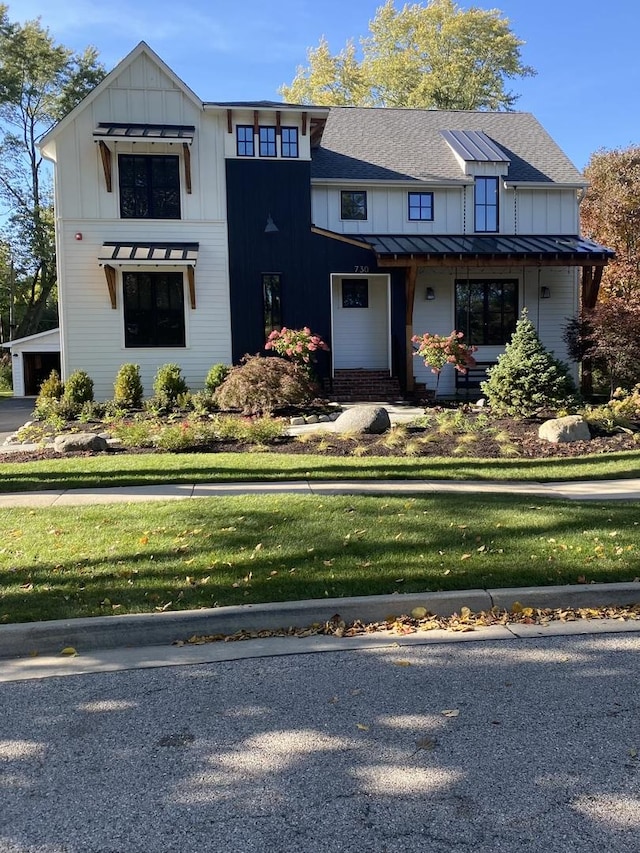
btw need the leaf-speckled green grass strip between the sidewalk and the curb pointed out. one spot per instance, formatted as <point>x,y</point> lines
<point>67,562</point>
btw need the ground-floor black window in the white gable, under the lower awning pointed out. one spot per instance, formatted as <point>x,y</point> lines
<point>153,309</point>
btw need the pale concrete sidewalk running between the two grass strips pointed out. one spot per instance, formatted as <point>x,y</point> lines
<point>593,490</point>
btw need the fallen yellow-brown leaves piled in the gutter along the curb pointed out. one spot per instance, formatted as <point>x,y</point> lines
<point>464,621</point>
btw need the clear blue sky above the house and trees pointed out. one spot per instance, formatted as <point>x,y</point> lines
<point>586,92</point>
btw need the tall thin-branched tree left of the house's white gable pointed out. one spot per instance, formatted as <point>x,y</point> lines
<point>40,81</point>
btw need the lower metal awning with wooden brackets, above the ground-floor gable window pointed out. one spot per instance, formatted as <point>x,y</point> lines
<point>148,254</point>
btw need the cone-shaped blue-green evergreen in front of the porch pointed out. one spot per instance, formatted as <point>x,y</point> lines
<point>527,378</point>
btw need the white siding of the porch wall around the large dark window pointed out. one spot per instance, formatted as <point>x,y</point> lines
<point>549,316</point>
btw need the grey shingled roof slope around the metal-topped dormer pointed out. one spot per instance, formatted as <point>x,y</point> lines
<point>366,144</point>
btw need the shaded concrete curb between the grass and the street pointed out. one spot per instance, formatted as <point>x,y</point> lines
<point>148,629</point>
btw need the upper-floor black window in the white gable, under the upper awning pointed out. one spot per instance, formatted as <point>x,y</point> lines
<point>149,186</point>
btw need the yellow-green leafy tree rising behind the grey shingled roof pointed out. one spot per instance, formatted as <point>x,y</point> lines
<point>429,56</point>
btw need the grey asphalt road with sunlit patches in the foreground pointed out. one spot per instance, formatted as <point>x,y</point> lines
<point>523,745</point>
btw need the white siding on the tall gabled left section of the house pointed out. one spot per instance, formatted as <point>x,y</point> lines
<point>92,331</point>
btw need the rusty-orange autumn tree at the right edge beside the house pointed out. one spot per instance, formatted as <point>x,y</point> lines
<point>610,214</point>
